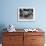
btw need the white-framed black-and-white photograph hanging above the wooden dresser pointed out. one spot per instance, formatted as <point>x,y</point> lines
<point>26,14</point>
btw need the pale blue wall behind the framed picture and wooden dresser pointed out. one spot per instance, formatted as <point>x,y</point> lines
<point>8,13</point>
